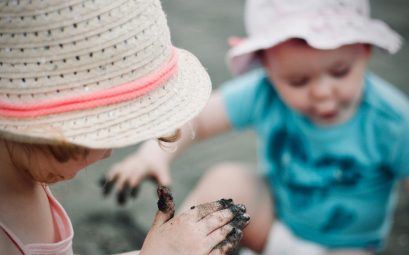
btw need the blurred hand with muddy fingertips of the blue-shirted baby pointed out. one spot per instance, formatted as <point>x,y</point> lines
<point>150,162</point>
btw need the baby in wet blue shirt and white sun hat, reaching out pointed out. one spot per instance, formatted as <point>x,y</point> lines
<point>333,137</point>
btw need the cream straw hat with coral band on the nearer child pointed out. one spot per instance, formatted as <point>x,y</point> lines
<point>96,73</point>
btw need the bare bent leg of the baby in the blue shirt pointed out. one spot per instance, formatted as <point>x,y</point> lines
<point>235,181</point>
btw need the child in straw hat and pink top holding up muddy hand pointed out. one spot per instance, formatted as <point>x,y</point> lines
<point>78,78</point>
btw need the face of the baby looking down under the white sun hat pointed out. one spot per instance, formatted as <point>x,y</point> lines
<point>324,85</point>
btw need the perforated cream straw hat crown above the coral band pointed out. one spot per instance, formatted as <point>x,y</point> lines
<point>56,49</point>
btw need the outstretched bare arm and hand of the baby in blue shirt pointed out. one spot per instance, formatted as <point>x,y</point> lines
<point>150,160</point>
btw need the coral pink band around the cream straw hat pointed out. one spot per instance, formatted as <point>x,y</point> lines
<point>121,93</point>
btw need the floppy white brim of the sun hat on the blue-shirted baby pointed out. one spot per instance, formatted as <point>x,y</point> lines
<point>359,30</point>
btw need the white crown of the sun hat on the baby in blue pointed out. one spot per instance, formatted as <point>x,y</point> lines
<point>261,14</point>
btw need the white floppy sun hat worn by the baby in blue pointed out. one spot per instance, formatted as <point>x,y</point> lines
<point>324,24</point>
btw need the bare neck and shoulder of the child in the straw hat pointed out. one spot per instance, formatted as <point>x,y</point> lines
<point>24,204</point>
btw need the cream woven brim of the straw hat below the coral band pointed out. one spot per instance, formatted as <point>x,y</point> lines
<point>152,115</point>
